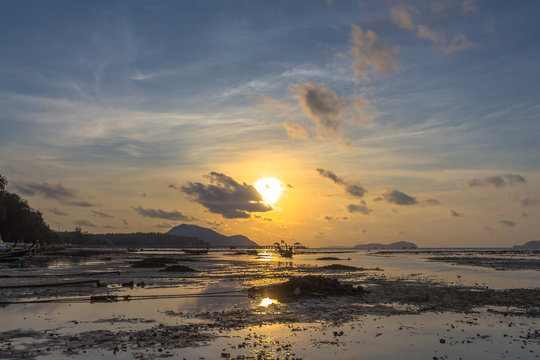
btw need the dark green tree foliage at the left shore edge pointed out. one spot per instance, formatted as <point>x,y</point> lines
<point>18,220</point>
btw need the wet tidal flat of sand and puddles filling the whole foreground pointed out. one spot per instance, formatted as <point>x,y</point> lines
<point>144,312</point>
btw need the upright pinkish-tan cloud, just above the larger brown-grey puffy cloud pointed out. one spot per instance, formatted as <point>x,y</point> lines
<point>369,52</point>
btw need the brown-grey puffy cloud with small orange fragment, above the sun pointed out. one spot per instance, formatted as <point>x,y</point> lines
<point>326,109</point>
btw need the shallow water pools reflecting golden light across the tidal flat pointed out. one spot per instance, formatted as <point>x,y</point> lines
<point>482,335</point>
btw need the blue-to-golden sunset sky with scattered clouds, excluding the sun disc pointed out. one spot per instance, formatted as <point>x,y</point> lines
<point>383,120</point>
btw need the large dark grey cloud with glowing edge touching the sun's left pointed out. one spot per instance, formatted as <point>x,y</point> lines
<point>226,197</point>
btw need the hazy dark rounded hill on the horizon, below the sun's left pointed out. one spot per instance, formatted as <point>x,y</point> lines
<point>210,236</point>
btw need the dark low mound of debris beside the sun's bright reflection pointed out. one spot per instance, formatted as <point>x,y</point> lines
<point>305,286</point>
